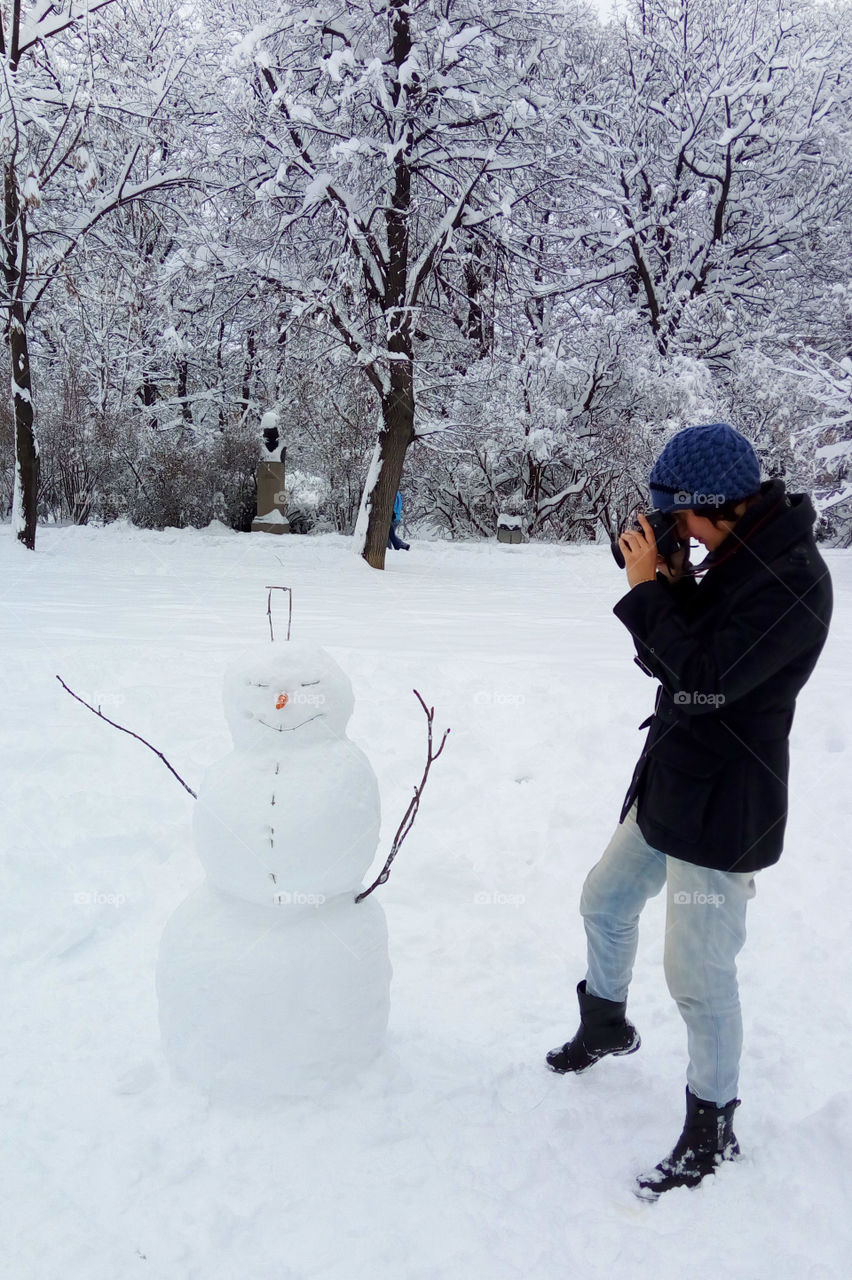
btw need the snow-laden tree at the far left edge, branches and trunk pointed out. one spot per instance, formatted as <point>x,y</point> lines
<point>83,88</point>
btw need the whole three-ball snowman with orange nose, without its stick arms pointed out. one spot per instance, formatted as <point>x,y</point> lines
<point>272,980</point>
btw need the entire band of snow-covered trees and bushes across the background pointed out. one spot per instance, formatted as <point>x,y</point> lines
<point>529,245</point>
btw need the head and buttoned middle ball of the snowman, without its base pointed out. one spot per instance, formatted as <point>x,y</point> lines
<point>295,808</point>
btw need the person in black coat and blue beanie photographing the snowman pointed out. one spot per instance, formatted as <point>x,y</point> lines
<point>731,643</point>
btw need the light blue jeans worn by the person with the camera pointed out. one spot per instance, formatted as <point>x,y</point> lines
<point>706,929</point>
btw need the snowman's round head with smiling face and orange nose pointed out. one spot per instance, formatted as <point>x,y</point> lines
<point>286,694</point>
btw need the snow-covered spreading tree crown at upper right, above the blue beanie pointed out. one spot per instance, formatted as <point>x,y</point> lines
<point>713,157</point>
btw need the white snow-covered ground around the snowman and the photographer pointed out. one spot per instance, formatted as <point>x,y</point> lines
<point>457,1155</point>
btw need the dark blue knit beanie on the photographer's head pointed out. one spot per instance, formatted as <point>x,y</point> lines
<point>704,467</point>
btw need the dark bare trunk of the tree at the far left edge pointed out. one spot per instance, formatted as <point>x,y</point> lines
<point>15,268</point>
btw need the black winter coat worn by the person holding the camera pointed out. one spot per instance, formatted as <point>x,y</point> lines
<point>731,653</point>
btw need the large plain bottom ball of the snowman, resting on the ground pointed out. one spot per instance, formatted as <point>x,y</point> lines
<point>262,1002</point>
